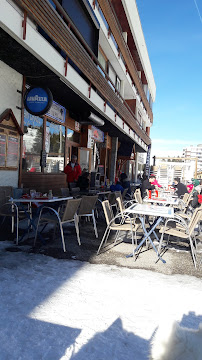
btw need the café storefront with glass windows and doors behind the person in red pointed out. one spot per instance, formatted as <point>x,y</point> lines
<point>50,140</point>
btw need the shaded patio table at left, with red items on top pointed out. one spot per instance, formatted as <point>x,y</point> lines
<point>39,202</point>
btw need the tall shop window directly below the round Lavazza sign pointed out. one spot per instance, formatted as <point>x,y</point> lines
<point>32,143</point>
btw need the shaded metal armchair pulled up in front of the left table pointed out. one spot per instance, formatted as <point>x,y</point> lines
<point>67,216</point>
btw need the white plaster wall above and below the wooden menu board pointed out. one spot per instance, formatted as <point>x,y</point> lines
<point>10,82</point>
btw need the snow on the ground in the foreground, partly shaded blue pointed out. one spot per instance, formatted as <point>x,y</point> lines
<point>59,309</point>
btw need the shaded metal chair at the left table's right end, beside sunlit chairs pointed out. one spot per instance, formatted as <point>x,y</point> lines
<point>86,209</point>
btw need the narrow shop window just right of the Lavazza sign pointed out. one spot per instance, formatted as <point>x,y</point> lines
<point>54,147</point>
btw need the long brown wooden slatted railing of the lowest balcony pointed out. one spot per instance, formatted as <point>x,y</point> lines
<point>59,30</point>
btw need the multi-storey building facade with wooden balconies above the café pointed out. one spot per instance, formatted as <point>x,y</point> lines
<point>93,58</point>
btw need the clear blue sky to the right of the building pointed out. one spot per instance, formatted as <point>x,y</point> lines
<point>173,35</point>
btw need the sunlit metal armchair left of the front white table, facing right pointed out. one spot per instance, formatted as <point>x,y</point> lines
<point>112,225</point>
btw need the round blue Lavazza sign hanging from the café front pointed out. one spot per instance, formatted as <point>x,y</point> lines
<point>38,100</point>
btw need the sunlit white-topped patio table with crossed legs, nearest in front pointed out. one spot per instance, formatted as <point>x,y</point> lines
<point>159,212</point>
